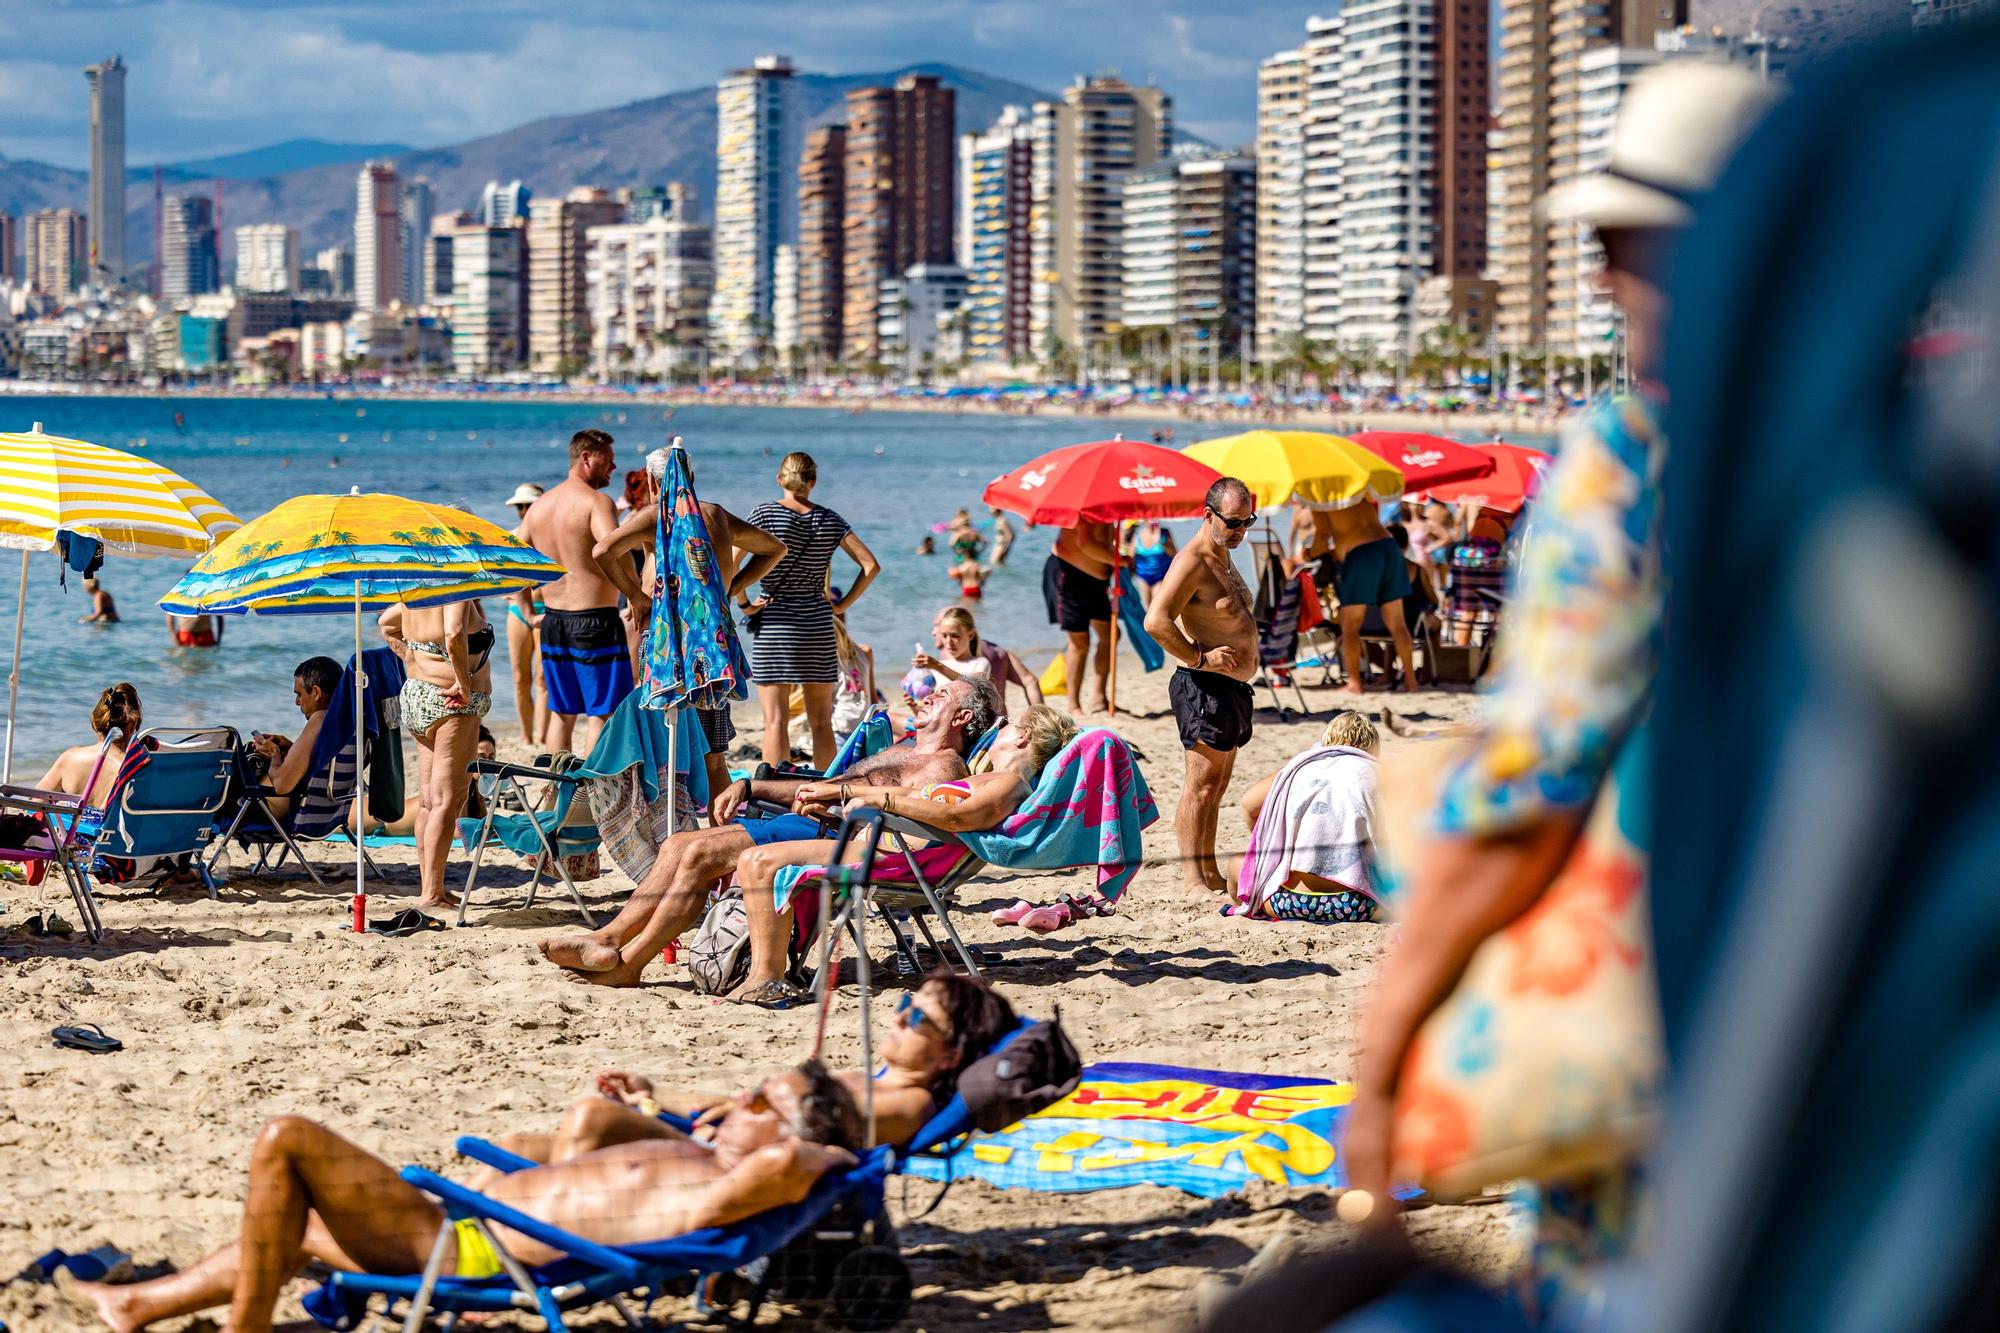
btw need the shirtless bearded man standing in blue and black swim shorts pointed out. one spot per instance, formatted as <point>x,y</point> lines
<point>587,670</point>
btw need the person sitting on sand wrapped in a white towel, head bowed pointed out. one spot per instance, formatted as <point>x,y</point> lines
<point>1311,852</point>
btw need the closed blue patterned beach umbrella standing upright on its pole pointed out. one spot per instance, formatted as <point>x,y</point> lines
<point>693,653</point>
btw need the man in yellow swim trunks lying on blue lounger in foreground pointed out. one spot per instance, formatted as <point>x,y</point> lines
<point>315,1196</point>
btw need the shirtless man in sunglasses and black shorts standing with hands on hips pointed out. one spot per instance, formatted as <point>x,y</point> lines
<point>1201,615</point>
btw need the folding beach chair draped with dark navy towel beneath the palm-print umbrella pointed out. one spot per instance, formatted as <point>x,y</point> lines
<point>323,802</point>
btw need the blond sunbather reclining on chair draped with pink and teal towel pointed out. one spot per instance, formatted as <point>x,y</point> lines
<point>981,802</point>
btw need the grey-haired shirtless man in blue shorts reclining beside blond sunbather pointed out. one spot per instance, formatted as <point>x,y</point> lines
<point>675,892</point>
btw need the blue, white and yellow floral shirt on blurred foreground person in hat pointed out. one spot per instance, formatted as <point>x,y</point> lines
<point>1581,631</point>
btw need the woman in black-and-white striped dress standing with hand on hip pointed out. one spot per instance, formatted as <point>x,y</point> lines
<point>795,633</point>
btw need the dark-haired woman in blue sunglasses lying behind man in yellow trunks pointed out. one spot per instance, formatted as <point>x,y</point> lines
<point>941,1028</point>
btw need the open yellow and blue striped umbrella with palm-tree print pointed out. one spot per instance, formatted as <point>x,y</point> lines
<point>353,553</point>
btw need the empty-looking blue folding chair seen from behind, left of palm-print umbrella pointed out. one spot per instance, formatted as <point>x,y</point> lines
<point>167,802</point>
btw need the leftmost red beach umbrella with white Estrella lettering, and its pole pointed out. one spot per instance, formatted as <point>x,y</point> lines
<point>1105,481</point>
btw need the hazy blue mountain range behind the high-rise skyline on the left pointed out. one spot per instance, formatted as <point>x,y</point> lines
<point>311,185</point>
